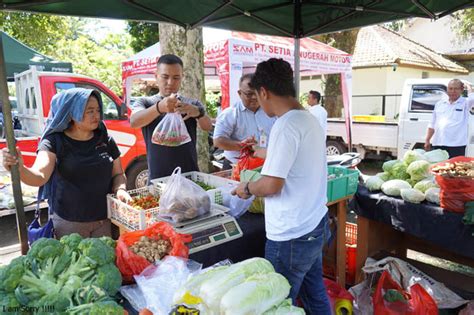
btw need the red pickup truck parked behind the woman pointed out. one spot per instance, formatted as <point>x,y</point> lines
<point>34,91</point>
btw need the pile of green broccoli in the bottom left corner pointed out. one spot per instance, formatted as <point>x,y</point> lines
<point>74,275</point>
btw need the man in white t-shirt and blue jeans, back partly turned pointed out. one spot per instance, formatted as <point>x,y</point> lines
<point>294,186</point>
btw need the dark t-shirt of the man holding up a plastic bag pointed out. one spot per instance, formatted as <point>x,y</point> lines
<point>162,160</point>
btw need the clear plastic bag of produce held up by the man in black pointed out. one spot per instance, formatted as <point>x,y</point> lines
<point>171,131</point>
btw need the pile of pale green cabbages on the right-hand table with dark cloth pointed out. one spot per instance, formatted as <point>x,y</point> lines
<point>410,178</point>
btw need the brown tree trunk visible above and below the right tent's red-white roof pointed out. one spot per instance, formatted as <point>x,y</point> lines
<point>344,41</point>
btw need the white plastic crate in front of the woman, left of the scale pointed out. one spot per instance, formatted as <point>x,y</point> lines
<point>130,217</point>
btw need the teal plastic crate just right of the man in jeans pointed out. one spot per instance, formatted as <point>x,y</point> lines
<point>344,184</point>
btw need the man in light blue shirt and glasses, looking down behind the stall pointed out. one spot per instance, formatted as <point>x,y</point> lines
<point>243,124</point>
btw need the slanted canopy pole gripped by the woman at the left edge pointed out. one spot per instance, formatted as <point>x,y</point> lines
<point>15,172</point>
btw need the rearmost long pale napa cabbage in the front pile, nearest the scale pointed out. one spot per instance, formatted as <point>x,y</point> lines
<point>214,288</point>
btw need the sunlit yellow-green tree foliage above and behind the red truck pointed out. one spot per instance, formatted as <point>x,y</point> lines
<point>68,39</point>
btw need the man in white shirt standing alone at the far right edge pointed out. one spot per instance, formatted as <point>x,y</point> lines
<point>448,129</point>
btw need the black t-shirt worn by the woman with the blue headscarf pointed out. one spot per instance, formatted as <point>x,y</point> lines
<point>82,177</point>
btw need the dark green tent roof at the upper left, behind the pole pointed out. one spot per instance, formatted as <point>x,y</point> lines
<point>19,57</point>
